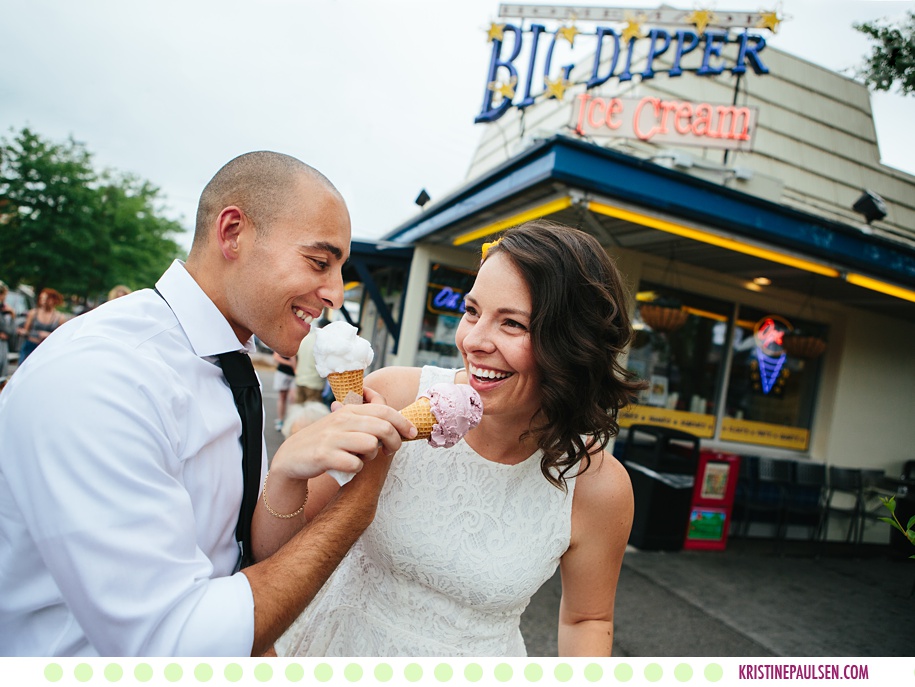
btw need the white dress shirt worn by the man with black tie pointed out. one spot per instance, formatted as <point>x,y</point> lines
<point>120,485</point>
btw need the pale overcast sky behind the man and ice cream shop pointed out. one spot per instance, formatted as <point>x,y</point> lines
<point>378,95</point>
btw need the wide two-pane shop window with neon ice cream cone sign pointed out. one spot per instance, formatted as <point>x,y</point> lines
<point>724,370</point>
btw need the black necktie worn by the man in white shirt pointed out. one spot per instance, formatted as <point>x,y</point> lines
<point>239,373</point>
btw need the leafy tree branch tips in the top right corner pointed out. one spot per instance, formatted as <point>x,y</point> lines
<point>892,57</point>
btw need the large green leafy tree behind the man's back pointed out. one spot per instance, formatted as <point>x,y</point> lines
<point>64,225</point>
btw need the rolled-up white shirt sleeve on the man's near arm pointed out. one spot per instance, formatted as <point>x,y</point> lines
<point>99,485</point>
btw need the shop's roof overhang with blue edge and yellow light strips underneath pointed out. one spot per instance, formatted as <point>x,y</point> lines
<point>639,205</point>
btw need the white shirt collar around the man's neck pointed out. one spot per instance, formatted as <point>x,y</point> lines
<point>205,326</point>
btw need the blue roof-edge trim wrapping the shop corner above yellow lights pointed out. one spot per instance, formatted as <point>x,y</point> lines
<point>595,169</point>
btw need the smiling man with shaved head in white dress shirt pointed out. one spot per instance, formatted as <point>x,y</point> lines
<point>120,461</point>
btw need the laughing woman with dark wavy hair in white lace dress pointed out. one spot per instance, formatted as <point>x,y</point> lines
<point>463,537</point>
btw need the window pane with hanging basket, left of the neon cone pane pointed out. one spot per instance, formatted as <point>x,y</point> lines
<point>679,349</point>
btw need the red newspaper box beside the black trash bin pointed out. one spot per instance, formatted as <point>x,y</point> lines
<point>713,499</point>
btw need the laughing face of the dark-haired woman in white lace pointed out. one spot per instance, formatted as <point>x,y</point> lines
<point>495,342</point>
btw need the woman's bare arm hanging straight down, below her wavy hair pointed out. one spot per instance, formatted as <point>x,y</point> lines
<point>602,508</point>
